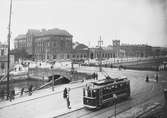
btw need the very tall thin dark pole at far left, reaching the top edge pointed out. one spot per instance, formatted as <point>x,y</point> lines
<point>9,36</point>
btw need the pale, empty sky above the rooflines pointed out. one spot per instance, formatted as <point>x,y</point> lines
<point>130,21</point>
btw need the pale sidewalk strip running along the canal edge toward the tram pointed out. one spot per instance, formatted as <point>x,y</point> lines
<point>42,93</point>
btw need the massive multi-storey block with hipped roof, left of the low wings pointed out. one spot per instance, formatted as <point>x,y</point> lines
<point>45,44</point>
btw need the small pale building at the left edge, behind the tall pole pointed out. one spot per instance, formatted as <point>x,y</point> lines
<point>4,59</point>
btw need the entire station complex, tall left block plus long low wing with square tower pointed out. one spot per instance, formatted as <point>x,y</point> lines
<point>58,44</point>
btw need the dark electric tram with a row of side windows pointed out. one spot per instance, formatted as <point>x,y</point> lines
<point>100,92</point>
